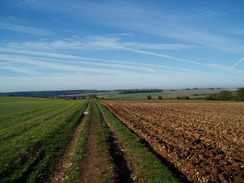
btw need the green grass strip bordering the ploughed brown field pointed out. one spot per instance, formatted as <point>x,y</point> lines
<point>150,168</point>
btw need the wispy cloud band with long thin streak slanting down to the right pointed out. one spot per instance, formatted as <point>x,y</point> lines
<point>102,42</point>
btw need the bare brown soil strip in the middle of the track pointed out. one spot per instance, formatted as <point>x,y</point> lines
<point>95,162</point>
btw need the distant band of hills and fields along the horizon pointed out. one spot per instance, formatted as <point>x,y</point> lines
<point>119,94</point>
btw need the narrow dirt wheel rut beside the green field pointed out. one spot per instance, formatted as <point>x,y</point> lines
<point>59,174</point>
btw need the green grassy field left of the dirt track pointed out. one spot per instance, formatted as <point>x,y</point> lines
<point>33,135</point>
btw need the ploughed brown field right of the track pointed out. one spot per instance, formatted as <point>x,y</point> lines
<point>202,139</point>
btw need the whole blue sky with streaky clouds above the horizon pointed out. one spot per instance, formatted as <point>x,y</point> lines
<point>121,44</point>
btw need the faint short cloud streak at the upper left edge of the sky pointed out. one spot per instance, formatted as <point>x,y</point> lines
<point>24,29</point>
